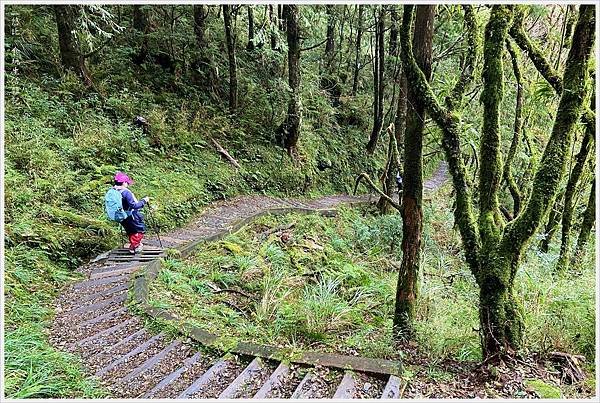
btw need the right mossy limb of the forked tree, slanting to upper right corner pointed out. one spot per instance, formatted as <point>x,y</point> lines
<point>552,166</point>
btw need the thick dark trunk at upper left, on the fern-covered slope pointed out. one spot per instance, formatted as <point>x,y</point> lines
<point>70,53</point>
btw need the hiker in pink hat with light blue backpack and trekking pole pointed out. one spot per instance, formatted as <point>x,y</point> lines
<point>134,223</point>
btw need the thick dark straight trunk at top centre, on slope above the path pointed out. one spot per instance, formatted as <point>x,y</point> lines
<point>291,126</point>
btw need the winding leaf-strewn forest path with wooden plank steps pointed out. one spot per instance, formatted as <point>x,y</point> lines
<point>95,321</point>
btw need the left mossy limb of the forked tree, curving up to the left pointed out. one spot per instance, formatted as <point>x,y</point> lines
<point>449,124</point>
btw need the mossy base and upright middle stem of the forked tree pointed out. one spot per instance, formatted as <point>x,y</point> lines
<point>500,322</point>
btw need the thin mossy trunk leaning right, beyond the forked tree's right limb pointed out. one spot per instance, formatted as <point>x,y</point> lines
<point>567,217</point>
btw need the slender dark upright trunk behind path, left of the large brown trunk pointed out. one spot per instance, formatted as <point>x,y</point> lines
<point>378,86</point>
